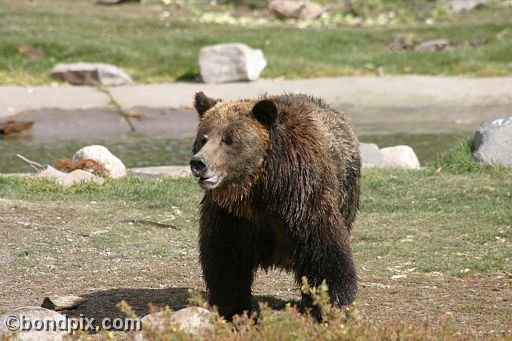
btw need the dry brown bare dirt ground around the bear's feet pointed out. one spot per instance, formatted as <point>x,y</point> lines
<point>53,249</point>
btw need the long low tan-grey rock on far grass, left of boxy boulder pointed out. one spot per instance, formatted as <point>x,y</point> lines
<point>91,74</point>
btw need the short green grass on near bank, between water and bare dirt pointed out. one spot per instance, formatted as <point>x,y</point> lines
<point>422,217</point>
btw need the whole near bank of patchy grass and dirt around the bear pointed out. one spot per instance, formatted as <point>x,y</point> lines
<point>432,249</point>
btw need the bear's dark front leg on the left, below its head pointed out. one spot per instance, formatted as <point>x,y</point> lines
<point>226,258</point>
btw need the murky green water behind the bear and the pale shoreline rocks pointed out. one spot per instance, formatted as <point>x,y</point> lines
<point>141,151</point>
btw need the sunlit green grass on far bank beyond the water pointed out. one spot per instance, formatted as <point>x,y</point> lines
<point>156,49</point>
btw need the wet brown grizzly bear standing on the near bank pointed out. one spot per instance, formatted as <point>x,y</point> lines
<point>281,176</point>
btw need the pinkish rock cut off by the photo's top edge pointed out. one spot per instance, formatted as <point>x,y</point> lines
<point>292,9</point>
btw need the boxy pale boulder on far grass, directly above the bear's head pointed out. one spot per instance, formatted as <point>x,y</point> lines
<point>230,62</point>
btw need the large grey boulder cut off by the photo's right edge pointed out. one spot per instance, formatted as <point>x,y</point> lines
<point>493,142</point>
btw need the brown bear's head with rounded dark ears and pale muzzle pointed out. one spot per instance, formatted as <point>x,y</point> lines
<point>233,140</point>
